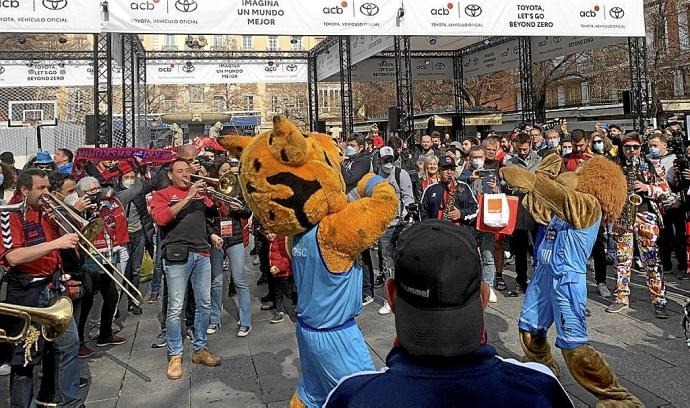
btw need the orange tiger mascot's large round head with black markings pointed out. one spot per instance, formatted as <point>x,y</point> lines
<point>290,179</point>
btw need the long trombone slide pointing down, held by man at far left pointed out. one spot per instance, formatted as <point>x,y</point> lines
<point>70,225</point>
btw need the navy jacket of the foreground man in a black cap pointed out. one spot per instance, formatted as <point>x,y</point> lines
<point>482,379</point>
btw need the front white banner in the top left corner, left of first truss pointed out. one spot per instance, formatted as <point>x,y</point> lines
<point>50,16</point>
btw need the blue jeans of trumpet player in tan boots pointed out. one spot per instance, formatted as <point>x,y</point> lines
<point>177,274</point>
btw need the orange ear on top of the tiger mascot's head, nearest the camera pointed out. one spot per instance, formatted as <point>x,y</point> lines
<point>287,144</point>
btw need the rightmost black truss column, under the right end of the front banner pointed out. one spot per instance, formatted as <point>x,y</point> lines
<point>639,83</point>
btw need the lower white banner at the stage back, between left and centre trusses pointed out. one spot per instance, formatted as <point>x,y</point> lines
<point>200,73</point>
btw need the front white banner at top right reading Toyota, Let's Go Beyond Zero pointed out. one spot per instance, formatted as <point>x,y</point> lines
<point>621,18</point>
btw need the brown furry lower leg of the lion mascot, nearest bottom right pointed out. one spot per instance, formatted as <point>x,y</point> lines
<point>590,369</point>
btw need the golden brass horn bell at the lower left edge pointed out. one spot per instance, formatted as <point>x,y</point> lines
<point>54,319</point>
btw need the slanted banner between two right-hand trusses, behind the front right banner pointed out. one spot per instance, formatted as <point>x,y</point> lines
<point>503,56</point>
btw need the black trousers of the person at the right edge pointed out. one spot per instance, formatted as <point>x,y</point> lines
<point>672,238</point>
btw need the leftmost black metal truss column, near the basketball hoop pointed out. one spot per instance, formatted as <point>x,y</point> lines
<point>103,89</point>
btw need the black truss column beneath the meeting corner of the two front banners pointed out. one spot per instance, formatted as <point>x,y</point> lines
<point>403,86</point>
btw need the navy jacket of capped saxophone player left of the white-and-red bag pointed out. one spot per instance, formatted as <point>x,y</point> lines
<point>433,203</point>
